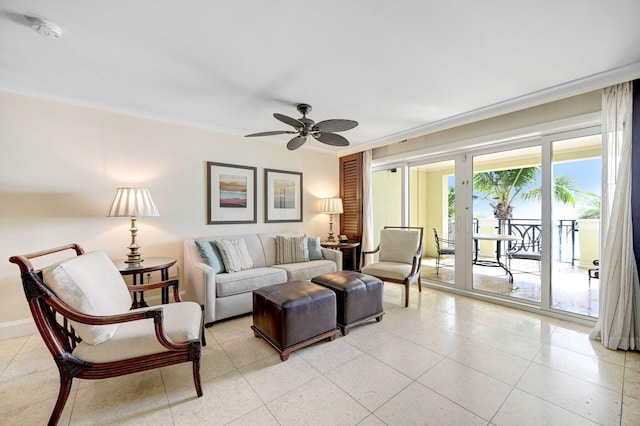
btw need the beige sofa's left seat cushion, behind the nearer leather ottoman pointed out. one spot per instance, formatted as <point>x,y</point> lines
<point>248,280</point>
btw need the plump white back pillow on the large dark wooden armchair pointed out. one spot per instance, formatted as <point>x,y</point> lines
<point>91,284</point>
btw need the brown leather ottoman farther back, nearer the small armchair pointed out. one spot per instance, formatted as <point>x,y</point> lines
<point>358,297</point>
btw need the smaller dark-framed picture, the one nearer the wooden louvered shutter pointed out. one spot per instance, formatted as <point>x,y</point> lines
<point>282,196</point>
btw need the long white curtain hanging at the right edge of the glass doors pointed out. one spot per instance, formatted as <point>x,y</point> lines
<point>618,326</point>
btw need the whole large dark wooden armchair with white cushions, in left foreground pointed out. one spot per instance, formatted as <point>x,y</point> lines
<point>81,309</point>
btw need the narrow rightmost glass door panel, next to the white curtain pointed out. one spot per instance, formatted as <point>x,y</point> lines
<point>575,236</point>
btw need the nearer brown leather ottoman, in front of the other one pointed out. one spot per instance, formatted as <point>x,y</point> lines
<point>293,315</point>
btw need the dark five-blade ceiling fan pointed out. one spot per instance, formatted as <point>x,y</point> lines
<point>305,127</point>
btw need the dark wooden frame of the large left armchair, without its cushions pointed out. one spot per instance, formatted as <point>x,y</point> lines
<point>52,316</point>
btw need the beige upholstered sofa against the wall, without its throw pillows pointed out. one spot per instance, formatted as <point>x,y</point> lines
<point>225,295</point>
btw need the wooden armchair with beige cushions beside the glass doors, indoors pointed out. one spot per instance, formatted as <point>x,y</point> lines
<point>399,257</point>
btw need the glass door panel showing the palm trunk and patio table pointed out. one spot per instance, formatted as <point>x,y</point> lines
<point>507,210</point>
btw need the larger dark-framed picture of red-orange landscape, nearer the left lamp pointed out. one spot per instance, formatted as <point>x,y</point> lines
<point>231,194</point>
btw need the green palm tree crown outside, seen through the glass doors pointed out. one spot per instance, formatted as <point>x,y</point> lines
<point>504,186</point>
